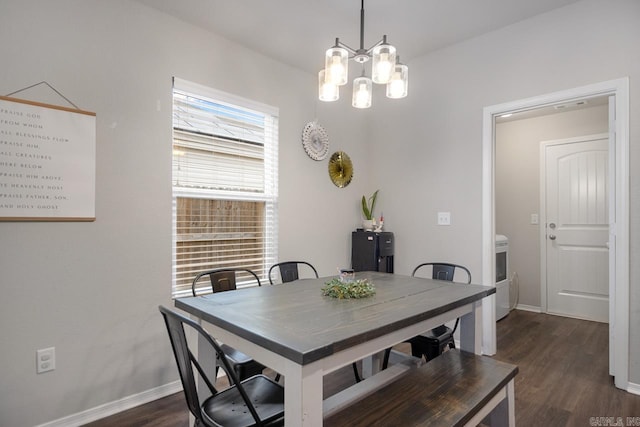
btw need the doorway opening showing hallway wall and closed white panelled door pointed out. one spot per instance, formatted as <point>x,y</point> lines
<point>521,208</point>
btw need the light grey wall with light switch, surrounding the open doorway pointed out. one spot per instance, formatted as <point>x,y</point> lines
<point>429,151</point>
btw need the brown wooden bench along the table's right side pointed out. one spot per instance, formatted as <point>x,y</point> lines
<point>455,389</point>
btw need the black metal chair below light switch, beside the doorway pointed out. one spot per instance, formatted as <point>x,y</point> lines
<point>432,344</point>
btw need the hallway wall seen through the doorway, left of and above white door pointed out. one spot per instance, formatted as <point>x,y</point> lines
<point>518,185</point>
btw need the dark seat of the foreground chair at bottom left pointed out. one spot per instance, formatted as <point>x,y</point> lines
<point>228,409</point>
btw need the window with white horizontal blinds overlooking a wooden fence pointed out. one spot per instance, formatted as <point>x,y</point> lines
<point>224,184</point>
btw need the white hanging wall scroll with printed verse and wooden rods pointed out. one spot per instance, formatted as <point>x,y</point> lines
<point>47,162</point>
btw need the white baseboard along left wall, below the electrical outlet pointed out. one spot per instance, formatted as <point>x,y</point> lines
<point>114,407</point>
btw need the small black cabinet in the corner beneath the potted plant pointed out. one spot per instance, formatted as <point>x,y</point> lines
<point>371,251</point>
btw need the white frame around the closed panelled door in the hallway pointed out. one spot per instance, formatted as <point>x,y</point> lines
<point>542,236</point>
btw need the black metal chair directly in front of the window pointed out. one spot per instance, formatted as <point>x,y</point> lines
<point>224,279</point>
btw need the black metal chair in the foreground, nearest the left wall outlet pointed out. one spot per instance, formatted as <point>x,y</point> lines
<point>255,401</point>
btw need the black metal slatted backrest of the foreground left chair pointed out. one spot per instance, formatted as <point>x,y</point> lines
<point>185,360</point>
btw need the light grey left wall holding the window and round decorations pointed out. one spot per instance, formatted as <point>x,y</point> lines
<point>92,289</point>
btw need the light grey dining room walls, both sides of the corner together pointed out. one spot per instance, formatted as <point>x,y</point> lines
<point>91,289</point>
